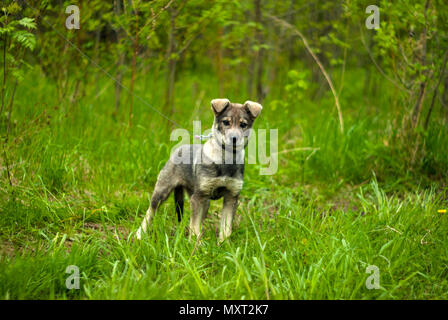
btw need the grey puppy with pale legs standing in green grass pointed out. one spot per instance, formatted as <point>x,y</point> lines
<point>209,171</point>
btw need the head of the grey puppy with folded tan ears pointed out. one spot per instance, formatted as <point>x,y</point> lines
<point>233,122</point>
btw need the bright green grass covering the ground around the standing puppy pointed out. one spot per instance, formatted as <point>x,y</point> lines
<point>82,181</point>
